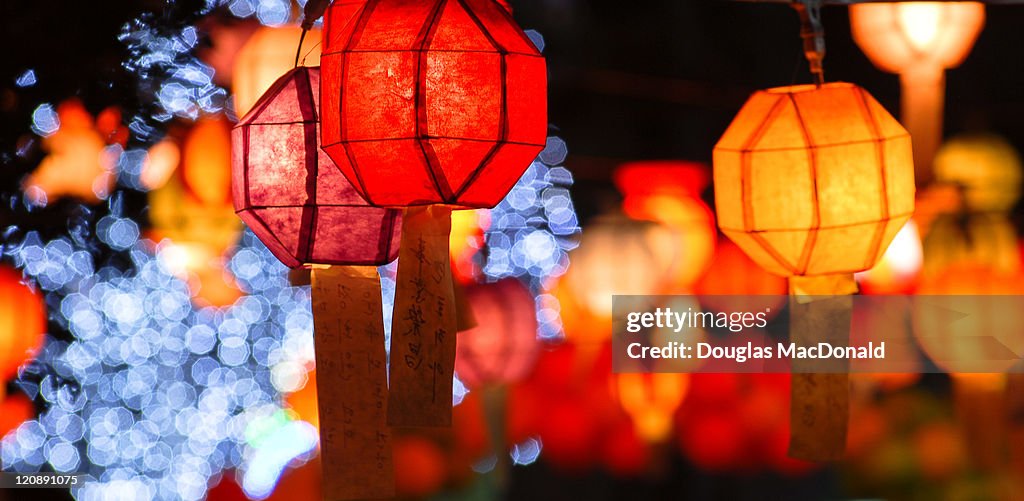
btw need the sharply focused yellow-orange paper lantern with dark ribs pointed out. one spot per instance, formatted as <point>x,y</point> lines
<point>814,182</point>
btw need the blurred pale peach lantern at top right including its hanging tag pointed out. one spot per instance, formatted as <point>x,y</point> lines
<point>919,41</point>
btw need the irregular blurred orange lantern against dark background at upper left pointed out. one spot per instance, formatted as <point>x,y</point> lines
<point>77,163</point>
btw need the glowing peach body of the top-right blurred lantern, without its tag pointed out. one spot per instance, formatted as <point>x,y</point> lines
<point>898,36</point>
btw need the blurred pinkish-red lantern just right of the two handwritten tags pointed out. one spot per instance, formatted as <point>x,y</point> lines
<point>503,347</point>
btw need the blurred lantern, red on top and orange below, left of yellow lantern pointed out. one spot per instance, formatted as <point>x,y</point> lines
<point>669,192</point>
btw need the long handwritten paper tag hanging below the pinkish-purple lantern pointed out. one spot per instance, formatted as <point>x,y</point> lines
<point>352,384</point>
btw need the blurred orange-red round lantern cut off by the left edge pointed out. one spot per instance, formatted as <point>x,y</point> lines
<point>23,323</point>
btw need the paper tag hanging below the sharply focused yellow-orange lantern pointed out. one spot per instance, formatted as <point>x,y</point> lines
<point>820,406</point>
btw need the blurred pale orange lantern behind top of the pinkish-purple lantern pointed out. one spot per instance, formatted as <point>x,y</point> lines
<point>266,57</point>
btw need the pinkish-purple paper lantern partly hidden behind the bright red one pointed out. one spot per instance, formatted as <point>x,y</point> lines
<point>290,194</point>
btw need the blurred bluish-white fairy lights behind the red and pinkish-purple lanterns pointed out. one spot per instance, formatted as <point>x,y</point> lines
<point>155,398</point>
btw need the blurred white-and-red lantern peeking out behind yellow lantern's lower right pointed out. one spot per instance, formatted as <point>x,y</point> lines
<point>900,269</point>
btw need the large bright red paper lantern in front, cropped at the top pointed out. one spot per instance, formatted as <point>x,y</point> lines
<point>432,102</point>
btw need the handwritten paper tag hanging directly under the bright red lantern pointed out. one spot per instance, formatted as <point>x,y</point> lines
<point>423,332</point>
